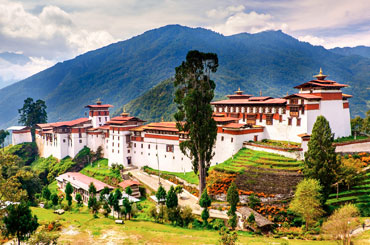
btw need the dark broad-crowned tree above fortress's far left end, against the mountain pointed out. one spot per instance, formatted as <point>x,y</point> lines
<point>32,113</point>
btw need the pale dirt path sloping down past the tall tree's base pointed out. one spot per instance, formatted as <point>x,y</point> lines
<point>186,199</point>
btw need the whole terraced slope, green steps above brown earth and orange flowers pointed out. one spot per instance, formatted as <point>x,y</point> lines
<point>258,172</point>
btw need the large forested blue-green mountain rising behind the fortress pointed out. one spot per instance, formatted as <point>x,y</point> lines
<point>271,62</point>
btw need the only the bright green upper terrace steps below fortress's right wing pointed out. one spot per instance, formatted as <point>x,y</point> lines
<point>258,159</point>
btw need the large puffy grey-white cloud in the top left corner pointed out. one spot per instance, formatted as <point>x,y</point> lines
<point>50,34</point>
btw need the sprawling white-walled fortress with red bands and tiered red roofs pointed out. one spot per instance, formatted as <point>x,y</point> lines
<point>126,140</point>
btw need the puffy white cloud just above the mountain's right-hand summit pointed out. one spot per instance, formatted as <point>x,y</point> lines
<point>251,22</point>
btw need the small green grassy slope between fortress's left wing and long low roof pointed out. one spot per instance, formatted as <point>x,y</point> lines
<point>101,171</point>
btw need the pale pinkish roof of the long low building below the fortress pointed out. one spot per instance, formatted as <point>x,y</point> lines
<point>82,181</point>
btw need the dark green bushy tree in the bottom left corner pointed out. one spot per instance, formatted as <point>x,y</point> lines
<point>19,221</point>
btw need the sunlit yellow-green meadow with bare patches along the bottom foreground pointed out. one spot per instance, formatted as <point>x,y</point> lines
<point>88,230</point>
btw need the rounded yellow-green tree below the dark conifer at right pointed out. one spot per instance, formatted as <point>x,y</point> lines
<point>306,201</point>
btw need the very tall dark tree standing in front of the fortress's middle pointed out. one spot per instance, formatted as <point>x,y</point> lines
<point>195,91</point>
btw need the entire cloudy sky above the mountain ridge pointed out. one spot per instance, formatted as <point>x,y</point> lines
<point>55,30</point>
